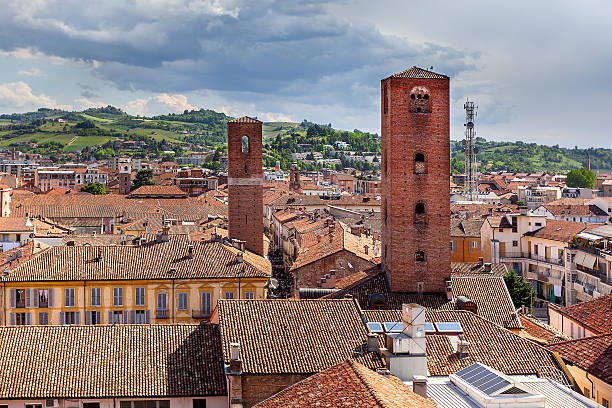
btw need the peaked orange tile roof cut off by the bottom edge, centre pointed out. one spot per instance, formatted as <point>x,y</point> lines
<point>348,384</point>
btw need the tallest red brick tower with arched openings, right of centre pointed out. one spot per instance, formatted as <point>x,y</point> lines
<point>415,180</point>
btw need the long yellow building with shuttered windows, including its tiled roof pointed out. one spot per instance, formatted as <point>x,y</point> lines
<point>167,282</point>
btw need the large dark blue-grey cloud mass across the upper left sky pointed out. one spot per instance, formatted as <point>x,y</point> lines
<point>278,47</point>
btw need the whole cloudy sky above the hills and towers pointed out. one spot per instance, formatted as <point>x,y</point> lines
<point>537,70</point>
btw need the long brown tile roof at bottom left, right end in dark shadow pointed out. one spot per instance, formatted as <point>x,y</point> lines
<point>109,361</point>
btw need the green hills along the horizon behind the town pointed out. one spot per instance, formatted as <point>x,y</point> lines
<point>95,131</point>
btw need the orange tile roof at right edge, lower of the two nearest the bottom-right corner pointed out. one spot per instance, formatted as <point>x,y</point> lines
<point>592,354</point>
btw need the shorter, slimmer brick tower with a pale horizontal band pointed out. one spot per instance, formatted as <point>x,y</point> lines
<point>245,180</point>
